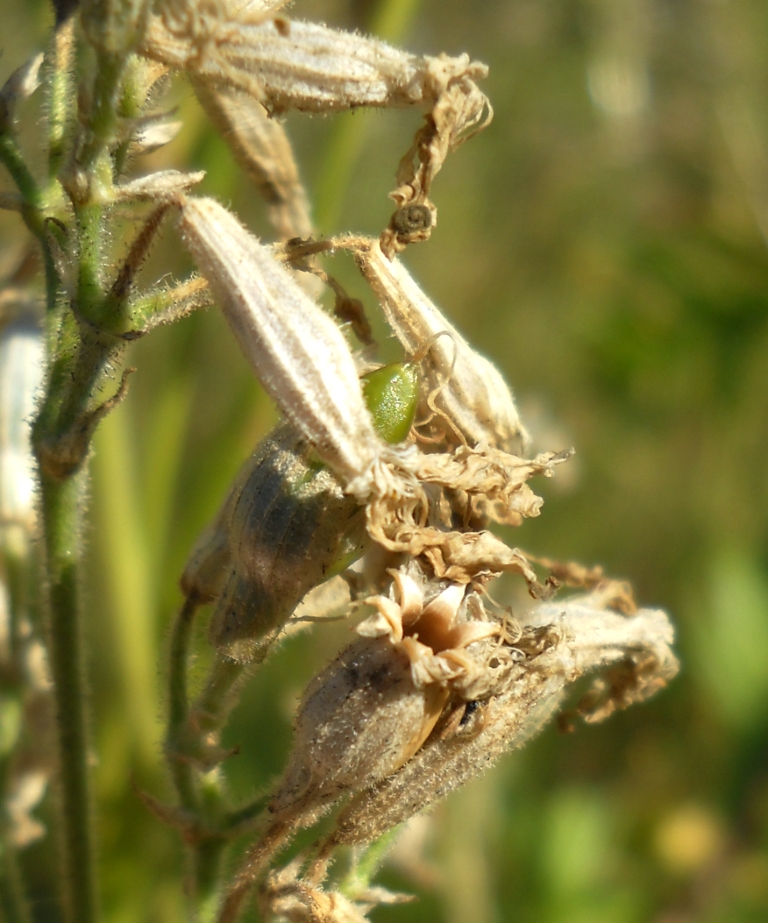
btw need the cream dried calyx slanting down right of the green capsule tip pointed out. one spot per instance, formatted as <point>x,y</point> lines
<point>464,394</point>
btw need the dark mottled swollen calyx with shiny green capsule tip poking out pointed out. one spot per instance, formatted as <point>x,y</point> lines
<point>287,526</point>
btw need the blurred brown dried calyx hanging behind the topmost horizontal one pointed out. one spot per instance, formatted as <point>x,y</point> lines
<point>261,147</point>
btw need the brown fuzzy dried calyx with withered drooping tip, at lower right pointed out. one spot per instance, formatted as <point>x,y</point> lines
<point>558,644</point>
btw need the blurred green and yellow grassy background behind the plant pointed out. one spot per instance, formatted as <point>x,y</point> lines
<point>604,242</point>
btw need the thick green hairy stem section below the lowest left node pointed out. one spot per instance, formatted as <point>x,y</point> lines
<point>62,512</point>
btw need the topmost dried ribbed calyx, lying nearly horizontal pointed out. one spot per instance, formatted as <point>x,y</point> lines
<point>288,64</point>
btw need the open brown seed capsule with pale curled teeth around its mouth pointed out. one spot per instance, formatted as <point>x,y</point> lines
<point>371,710</point>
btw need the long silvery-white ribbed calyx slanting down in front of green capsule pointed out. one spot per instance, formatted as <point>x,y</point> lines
<point>297,351</point>
